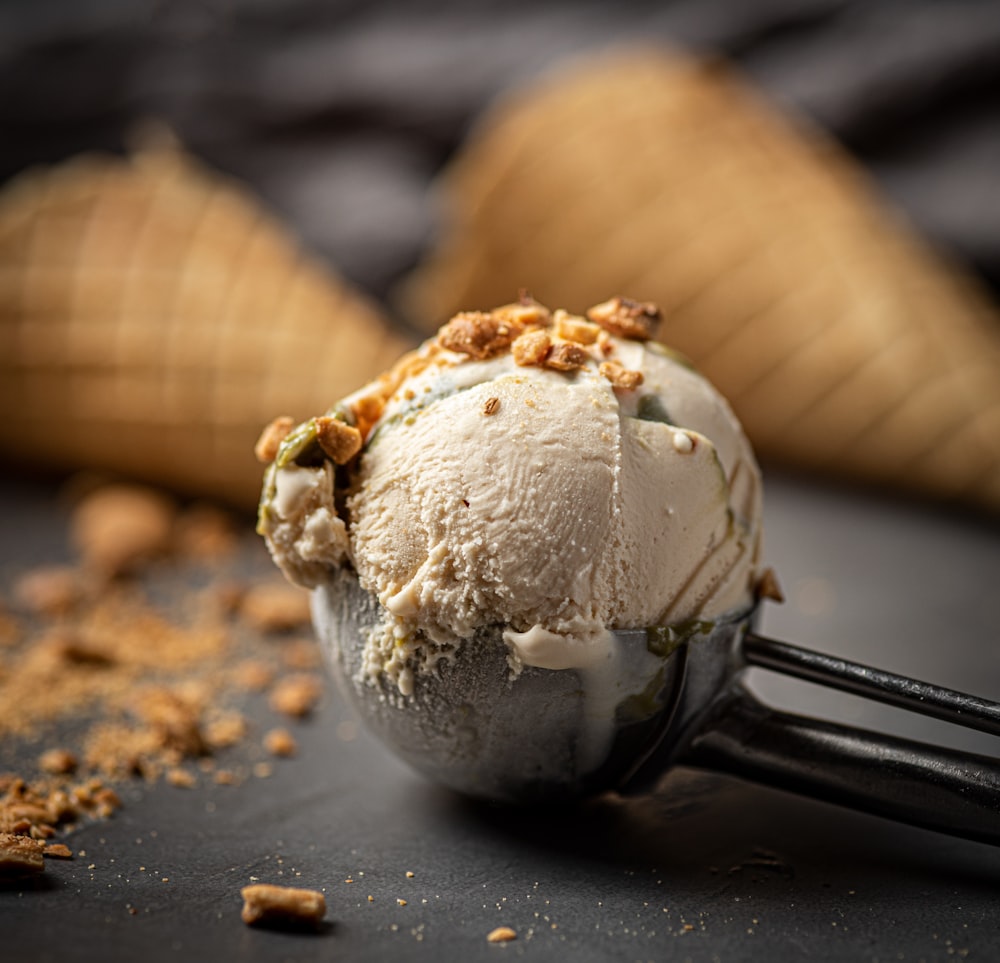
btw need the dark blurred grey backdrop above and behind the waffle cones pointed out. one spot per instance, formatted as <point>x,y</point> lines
<point>340,113</point>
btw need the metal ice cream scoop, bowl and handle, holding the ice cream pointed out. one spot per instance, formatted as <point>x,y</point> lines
<point>667,697</point>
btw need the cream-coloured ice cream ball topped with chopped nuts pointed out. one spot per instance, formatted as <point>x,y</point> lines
<point>557,475</point>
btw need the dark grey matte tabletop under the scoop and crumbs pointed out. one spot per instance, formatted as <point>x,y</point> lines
<point>704,869</point>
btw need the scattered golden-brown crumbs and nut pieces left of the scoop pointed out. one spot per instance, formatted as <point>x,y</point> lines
<point>116,668</point>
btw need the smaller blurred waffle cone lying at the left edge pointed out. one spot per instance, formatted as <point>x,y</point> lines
<point>153,319</point>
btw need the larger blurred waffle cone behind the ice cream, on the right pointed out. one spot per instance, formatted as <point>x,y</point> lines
<point>844,343</point>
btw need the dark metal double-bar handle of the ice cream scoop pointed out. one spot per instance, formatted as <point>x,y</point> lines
<point>933,787</point>
